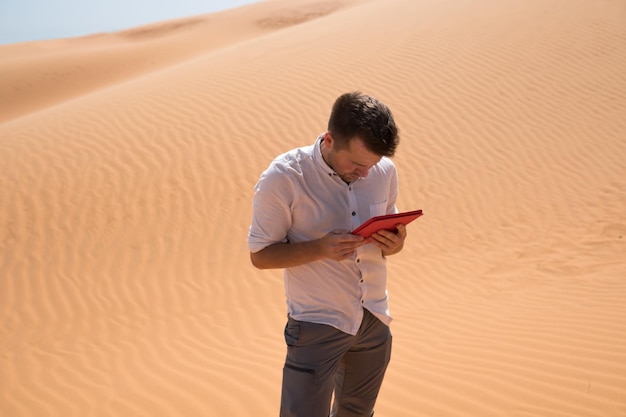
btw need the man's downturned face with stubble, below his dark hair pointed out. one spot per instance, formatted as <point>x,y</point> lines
<point>351,162</point>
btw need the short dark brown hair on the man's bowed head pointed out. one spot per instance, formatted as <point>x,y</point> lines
<point>358,115</point>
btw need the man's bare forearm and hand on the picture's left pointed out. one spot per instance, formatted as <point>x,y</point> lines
<point>336,246</point>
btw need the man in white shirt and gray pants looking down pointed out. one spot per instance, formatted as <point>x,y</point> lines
<point>305,205</point>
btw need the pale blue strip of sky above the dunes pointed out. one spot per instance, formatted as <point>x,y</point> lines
<point>30,20</point>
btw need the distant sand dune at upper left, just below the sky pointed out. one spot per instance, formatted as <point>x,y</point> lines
<point>38,75</point>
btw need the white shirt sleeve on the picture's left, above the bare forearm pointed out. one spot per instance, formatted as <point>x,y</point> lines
<point>274,194</point>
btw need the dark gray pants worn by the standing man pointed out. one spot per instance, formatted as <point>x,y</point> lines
<point>322,360</point>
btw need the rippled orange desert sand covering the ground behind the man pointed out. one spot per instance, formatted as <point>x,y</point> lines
<point>127,166</point>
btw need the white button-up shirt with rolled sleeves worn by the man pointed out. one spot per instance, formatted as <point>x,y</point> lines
<point>300,198</point>
